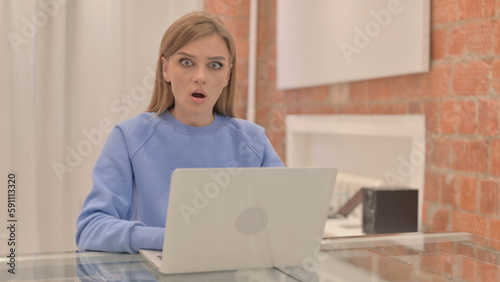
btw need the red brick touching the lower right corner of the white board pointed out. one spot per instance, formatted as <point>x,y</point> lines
<point>436,83</point>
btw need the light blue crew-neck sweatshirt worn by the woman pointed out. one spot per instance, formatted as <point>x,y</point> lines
<point>126,208</point>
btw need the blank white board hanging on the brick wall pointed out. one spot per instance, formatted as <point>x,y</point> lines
<point>330,41</point>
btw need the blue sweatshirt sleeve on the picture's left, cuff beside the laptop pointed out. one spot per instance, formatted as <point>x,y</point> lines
<point>103,224</point>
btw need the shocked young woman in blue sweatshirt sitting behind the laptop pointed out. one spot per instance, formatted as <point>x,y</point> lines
<point>189,123</point>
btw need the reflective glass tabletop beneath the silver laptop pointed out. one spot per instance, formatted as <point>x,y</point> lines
<point>453,256</point>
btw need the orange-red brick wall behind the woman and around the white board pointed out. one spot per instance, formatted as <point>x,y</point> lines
<point>459,97</point>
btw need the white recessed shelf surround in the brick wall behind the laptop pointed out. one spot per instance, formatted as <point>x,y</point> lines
<point>387,147</point>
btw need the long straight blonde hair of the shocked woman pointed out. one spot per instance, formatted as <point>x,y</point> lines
<point>186,29</point>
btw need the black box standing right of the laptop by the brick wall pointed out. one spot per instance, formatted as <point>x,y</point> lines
<point>390,210</point>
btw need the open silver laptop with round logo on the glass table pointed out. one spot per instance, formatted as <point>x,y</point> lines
<point>243,218</point>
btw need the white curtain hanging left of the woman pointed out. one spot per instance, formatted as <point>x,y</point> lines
<point>69,71</point>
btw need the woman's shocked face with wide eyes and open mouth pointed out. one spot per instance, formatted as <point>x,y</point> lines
<point>198,72</point>
